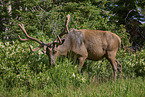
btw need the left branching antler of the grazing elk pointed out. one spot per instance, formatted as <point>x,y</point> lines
<point>31,38</point>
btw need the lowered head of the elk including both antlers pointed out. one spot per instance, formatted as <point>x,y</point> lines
<point>49,48</point>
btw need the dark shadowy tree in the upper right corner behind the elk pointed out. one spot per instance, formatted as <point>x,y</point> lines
<point>130,13</point>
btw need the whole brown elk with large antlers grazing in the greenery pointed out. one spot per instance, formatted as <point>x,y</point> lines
<point>84,43</point>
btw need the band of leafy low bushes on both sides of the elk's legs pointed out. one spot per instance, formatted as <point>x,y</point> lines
<point>20,67</point>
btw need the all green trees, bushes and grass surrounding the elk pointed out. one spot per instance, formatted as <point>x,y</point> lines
<point>26,73</point>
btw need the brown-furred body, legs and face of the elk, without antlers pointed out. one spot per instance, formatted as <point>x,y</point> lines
<point>97,44</point>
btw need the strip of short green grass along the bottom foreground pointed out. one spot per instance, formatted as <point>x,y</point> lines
<point>122,88</point>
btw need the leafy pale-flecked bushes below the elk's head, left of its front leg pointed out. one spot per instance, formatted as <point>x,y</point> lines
<point>20,67</point>
